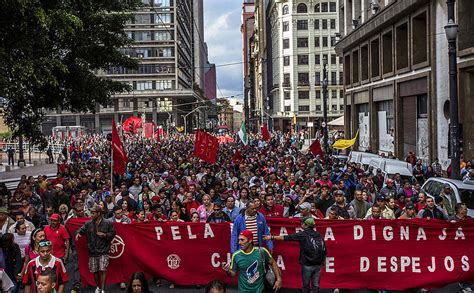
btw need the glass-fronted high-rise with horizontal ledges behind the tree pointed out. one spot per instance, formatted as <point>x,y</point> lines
<point>169,43</point>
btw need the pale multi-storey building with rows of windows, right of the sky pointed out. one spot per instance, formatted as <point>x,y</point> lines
<point>302,34</point>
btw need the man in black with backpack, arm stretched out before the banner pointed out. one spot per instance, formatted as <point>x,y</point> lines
<point>310,268</point>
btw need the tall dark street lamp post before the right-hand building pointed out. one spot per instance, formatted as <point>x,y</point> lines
<point>451,30</point>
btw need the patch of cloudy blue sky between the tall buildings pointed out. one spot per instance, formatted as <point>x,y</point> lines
<point>222,20</point>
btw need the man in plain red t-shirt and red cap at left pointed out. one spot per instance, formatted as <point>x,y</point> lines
<point>59,237</point>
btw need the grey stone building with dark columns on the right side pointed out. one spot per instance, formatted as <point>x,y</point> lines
<point>396,76</point>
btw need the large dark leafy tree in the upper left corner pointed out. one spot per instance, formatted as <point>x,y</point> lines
<point>50,52</point>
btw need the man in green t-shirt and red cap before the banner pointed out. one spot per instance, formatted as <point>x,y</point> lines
<point>248,261</point>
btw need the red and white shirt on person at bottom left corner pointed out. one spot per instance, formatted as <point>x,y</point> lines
<point>34,268</point>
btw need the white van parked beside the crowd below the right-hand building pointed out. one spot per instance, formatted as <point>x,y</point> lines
<point>391,167</point>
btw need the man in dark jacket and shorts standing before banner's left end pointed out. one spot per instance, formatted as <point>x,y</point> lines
<point>99,233</point>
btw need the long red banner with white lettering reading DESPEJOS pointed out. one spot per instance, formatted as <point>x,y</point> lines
<point>385,254</point>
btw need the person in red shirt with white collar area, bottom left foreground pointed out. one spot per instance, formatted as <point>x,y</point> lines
<point>45,261</point>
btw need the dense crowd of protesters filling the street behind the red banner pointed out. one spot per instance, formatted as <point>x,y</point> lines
<point>165,182</point>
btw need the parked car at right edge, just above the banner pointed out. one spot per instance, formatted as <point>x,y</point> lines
<point>464,192</point>
